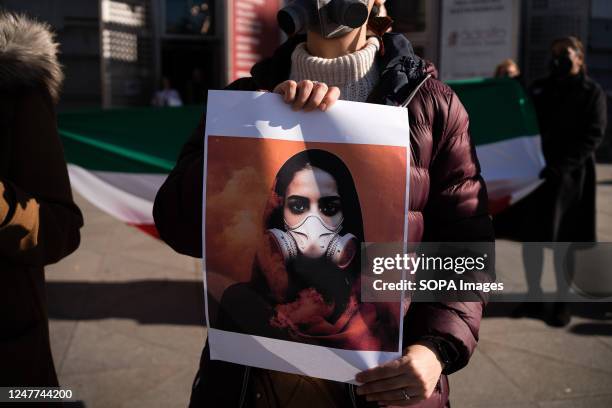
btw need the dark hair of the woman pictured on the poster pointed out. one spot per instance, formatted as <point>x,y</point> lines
<point>333,165</point>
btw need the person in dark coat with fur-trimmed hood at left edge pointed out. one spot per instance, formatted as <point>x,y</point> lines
<point>39,221</point>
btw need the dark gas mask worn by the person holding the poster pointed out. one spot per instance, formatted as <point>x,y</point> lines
<point>331,18</point>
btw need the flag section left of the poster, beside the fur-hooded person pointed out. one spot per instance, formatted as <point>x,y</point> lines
<point>118,159</point>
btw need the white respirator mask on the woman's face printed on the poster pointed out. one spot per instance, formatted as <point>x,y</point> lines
<point>314,239</point>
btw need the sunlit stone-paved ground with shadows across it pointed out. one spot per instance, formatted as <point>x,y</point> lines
<point>126,328</point>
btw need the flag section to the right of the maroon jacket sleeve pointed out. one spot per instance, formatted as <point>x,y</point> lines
<point>504,128</point>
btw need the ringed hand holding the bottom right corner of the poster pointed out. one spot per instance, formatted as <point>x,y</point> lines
<point>415,375</point>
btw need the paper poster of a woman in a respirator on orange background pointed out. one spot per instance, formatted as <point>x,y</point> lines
<point>289,199</point>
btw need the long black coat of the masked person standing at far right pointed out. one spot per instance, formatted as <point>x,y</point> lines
<point>572,114</point>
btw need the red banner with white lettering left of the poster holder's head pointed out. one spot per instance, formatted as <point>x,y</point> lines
<point>252,34</point>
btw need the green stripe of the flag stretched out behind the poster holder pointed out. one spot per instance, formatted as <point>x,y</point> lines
<point>148,140</point>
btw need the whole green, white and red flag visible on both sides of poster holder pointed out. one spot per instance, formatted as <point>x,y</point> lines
<point>118,159</point>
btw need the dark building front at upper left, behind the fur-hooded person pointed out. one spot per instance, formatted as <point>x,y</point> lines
<point>116,52</point>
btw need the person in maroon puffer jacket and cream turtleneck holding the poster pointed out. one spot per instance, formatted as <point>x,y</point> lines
<point>448,203</point>
